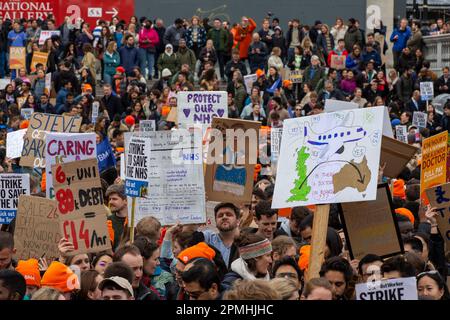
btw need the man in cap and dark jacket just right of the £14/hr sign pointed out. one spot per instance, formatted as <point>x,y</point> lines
<point>117,221</point>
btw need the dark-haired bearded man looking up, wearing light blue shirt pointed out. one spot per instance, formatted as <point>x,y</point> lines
<point>227,217</point>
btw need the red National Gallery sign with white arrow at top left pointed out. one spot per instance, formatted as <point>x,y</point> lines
<point>88,10</point>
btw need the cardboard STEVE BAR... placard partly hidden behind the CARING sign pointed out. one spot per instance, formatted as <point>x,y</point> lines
<point>33,153</point>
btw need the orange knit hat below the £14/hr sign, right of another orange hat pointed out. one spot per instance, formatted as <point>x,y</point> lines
<point>60,277</point>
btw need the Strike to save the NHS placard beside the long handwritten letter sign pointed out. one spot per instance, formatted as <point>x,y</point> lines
<point>137,170</point>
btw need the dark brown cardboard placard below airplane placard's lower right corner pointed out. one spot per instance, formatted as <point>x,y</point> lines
<point>370,226</point>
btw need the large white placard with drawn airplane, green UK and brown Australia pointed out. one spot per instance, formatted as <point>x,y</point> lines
<point>329,158</point>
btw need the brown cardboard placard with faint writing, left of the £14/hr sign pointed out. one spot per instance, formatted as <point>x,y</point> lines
<point>37,228</point>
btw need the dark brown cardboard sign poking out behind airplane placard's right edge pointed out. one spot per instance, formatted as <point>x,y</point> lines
<point>395,155</point>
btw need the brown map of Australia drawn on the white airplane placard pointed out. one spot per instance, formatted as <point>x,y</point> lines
<point>352,175</point>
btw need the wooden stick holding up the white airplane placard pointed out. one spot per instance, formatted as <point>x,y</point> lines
<point>318,240</point>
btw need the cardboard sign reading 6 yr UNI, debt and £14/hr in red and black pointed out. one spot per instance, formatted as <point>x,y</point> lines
<point>79,195</point>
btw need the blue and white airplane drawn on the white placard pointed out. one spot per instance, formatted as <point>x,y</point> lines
<point>332,141</point>
